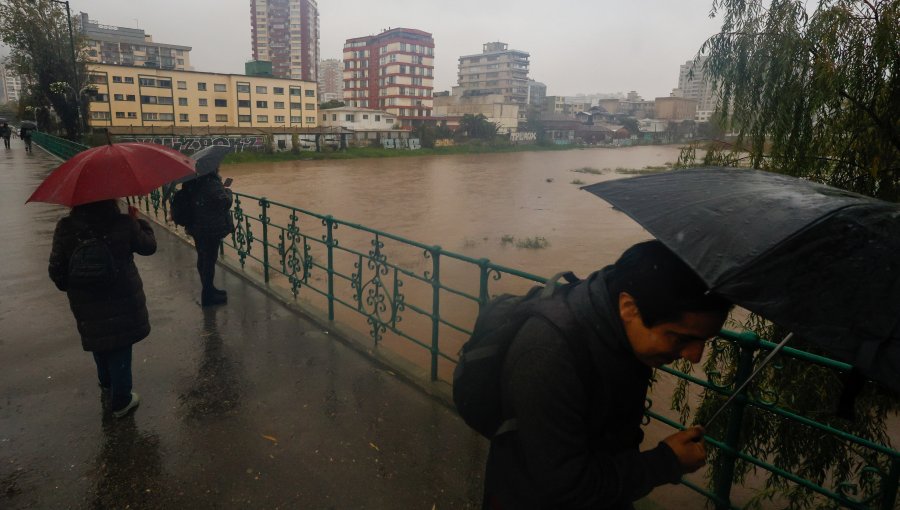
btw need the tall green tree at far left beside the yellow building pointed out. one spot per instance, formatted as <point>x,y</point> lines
<point>37,33</point>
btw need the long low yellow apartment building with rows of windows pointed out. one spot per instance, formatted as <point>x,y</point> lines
<point>140,96</point>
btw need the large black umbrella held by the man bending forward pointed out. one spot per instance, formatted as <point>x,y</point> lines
<point>822,262</point>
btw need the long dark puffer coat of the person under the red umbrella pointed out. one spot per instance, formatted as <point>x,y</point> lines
<point>114,316</point>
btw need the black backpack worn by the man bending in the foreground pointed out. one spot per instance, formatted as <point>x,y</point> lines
<point>477,377</point>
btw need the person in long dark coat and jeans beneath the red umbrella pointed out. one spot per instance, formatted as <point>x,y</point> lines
<point>113,317</point>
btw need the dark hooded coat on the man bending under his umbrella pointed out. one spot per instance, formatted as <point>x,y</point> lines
<point>575,445</point>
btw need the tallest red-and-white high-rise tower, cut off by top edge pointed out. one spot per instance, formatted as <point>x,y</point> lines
<point>286,33</point>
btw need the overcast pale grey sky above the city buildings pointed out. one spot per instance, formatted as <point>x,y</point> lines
<point>576,46</point>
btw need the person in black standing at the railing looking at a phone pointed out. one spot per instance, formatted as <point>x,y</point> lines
<point>211,222</point>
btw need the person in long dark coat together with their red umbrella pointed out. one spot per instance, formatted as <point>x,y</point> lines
<point>92,258</point>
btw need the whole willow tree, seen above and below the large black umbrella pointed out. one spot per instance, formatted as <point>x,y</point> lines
<point>812,90</point>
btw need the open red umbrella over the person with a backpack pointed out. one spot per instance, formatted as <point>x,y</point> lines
<point>112,171</point>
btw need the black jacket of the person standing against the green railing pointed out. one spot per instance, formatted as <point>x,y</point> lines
<point>212,204</point>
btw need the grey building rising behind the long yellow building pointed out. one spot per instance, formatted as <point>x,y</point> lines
<point>107,44</point>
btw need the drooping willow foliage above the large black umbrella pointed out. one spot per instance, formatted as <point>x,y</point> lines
<point>813,92</point>
